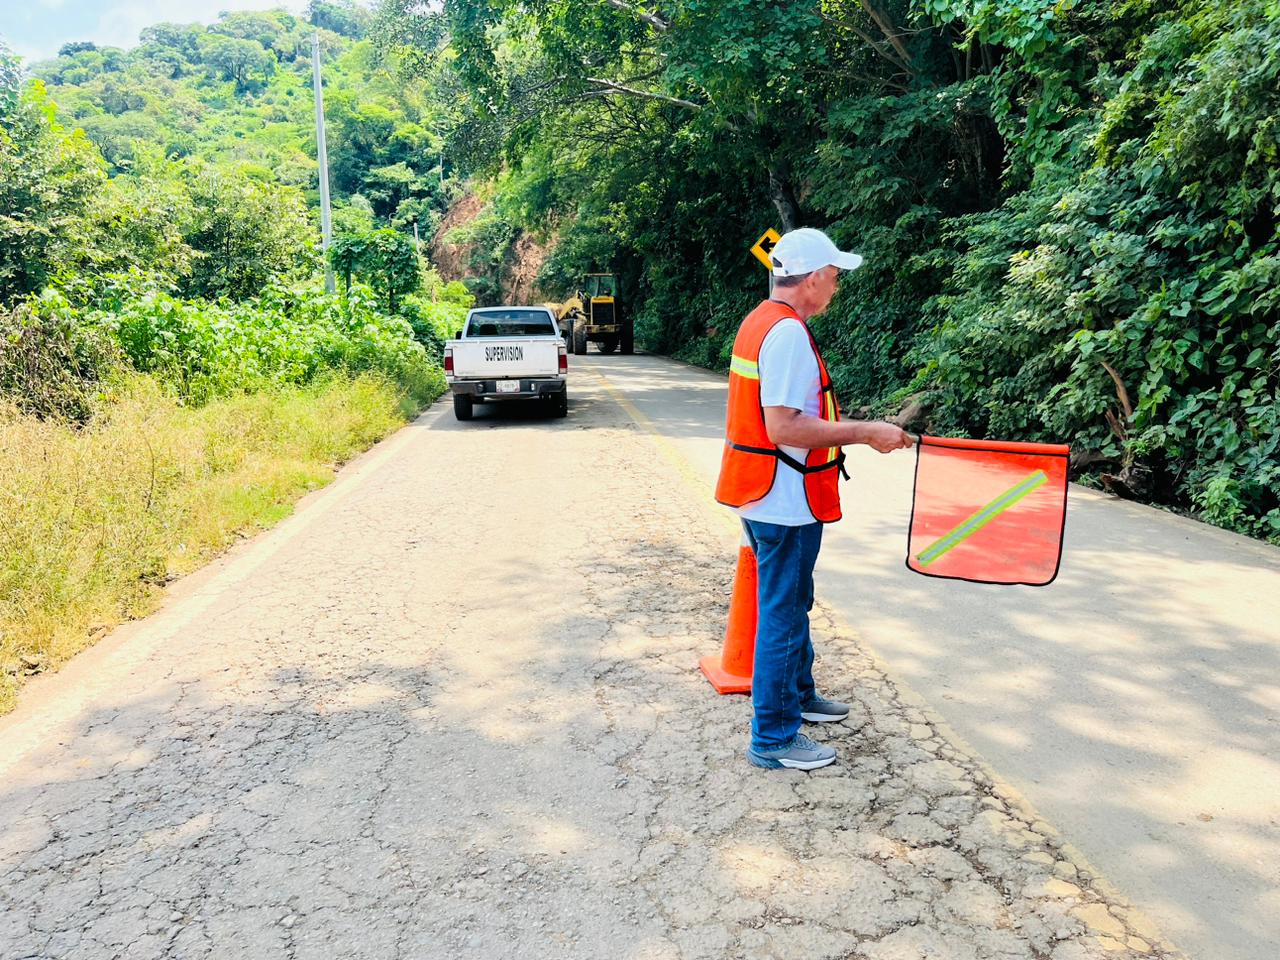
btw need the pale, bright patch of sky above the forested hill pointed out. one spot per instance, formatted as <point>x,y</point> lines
<point>36,29</point>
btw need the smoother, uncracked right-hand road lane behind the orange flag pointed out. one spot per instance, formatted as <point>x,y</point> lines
<point>1136,701</point>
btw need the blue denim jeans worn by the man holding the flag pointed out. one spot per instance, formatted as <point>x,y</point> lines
<point>783,674</point>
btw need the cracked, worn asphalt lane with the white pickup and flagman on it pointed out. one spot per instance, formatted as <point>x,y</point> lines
<point>451,708</point>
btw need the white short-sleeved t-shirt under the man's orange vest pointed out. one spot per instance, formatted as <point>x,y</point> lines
<point>789,378</point>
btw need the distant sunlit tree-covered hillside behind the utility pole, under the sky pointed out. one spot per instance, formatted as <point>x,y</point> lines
<point>191,138</point>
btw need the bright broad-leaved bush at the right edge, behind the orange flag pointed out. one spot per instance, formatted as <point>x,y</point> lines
<point>1154,260</point>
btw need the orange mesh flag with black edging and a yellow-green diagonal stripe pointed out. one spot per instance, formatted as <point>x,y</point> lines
<point>989,511</point>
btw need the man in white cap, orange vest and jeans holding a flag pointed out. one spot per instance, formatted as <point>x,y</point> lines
<point>780,473</point>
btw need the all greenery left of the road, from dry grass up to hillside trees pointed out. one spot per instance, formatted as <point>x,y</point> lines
<point>172,373</point>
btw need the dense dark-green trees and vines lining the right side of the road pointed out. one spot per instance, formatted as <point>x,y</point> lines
<point>1068,208</point>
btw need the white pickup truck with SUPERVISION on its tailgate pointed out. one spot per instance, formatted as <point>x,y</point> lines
<point>506,354</point>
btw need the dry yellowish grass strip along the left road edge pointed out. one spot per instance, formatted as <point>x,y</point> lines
<point>94,522</point>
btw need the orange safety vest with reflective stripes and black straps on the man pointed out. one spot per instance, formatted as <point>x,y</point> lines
<point>751,459</point>
